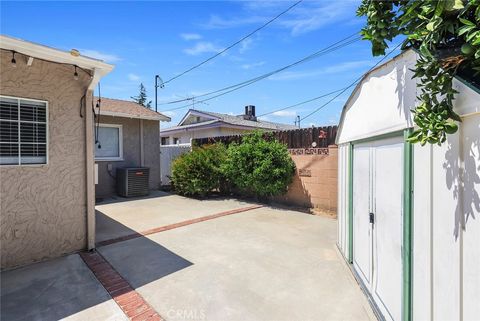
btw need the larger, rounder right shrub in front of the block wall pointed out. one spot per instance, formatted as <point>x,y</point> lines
<point>258,166</point>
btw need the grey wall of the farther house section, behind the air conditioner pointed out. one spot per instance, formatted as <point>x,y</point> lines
<point>131,153</point>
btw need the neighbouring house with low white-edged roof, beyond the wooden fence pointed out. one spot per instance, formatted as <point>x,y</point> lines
<point>200,124</point>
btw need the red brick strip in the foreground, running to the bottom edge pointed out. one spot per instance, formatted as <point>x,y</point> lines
<point>130,301</point>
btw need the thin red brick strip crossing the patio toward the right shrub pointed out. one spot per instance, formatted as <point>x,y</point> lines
<point>175,225</point>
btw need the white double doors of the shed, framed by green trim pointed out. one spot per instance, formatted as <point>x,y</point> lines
<point>378,189</point>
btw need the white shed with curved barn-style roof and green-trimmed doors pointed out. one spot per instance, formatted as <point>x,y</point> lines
<point>409,216</point>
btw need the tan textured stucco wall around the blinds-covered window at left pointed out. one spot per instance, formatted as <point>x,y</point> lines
<point>43,207</point>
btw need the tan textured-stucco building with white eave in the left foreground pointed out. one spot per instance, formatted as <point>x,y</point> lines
<point>47,200</point>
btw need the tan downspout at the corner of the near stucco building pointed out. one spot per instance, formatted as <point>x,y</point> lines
<point>90,161</point>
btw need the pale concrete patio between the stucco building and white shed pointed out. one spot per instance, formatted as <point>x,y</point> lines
<point>215,260</point>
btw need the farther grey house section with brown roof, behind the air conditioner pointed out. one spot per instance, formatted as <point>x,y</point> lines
<point>128,136</point>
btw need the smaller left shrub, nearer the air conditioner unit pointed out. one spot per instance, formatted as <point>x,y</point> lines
<point>198,173</point>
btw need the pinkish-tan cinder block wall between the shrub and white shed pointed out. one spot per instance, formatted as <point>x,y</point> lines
<point>319,190</point>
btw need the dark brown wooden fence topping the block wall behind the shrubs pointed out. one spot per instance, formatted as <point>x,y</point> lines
<point>317,137</point>
